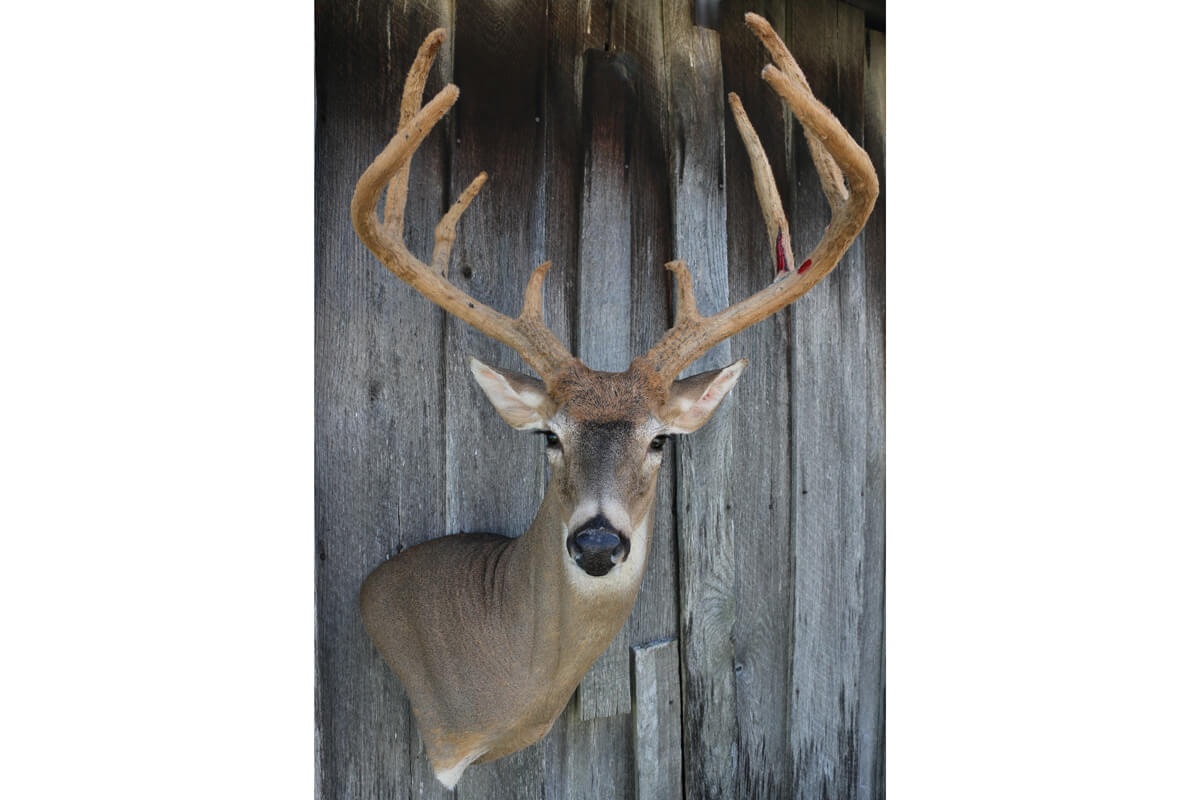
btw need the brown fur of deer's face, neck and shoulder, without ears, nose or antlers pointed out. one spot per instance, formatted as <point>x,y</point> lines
<point>485,633</point>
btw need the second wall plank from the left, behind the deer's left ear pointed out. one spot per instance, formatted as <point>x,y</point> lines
<point>495,474</point>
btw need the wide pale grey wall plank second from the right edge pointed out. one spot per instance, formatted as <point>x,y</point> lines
<point>830,419</point>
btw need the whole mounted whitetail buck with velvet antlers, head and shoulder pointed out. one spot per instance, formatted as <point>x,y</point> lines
<point>491,635</point>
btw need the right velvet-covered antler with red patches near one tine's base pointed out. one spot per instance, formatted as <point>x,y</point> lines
<point>836,155</point>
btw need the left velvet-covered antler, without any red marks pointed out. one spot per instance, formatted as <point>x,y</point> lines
<point>527,334</point>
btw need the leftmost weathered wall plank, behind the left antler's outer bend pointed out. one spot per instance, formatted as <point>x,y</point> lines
<point>379,396</point>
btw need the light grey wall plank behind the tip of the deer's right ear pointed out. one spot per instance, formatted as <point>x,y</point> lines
<point>704,461</point>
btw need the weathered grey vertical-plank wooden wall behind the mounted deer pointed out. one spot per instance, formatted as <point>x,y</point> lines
<point>753,665</point>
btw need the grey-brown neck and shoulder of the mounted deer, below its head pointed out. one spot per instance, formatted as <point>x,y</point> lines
<point>487,639</point>
